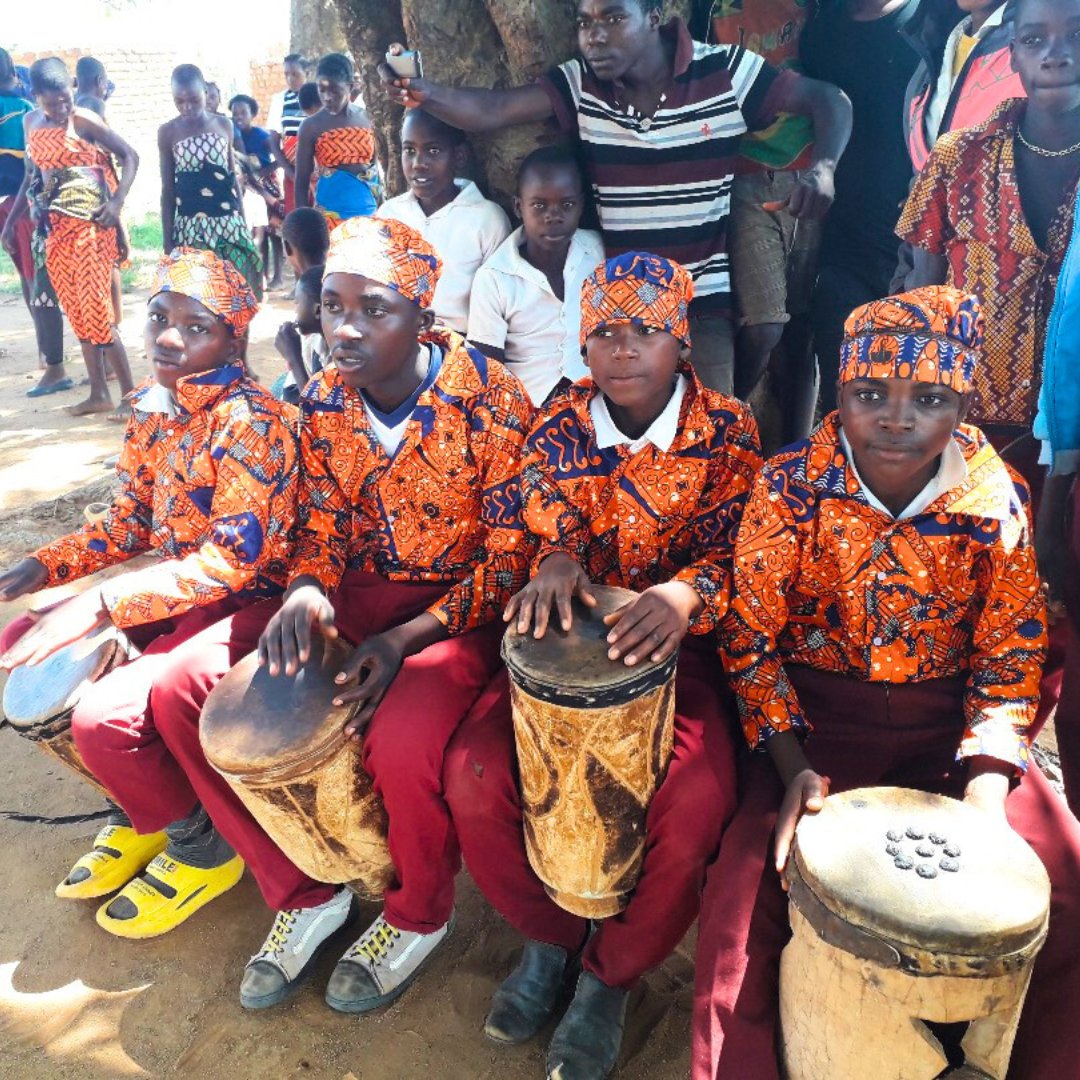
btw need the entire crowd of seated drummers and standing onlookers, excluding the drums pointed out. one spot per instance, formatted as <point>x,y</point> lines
<point>481,424</point>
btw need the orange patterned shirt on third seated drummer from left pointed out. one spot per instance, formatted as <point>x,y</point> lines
<point>641,519</point>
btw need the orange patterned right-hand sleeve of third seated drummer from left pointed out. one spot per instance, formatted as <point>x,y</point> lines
<point>712,533</point>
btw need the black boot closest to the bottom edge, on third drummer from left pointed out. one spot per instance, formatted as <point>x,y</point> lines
<point>586,1045</point>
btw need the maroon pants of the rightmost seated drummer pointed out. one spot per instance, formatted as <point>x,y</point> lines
<point>865,736</point>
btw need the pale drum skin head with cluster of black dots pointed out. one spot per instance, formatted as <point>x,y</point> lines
<point>924,871</point>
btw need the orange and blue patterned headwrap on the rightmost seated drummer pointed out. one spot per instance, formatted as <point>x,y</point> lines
<point>929,335</point>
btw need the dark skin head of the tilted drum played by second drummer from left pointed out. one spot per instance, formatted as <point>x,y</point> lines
<point>254,722</point>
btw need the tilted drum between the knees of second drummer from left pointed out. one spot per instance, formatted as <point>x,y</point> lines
<point>280,744</point>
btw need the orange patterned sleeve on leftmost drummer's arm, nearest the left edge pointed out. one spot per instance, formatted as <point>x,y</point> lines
<point>121,535</point>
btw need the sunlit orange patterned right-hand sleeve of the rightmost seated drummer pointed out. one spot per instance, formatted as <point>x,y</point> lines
<point>1009,649</point>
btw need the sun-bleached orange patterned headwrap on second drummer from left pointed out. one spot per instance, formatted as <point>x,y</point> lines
<point>388,252</point>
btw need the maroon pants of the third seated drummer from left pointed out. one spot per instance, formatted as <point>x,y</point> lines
<point>683,828</point>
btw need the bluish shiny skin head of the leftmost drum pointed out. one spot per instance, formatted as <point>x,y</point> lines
<point>33,696</point>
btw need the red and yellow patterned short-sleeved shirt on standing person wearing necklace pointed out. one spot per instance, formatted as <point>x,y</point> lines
<point>966,207</point>
